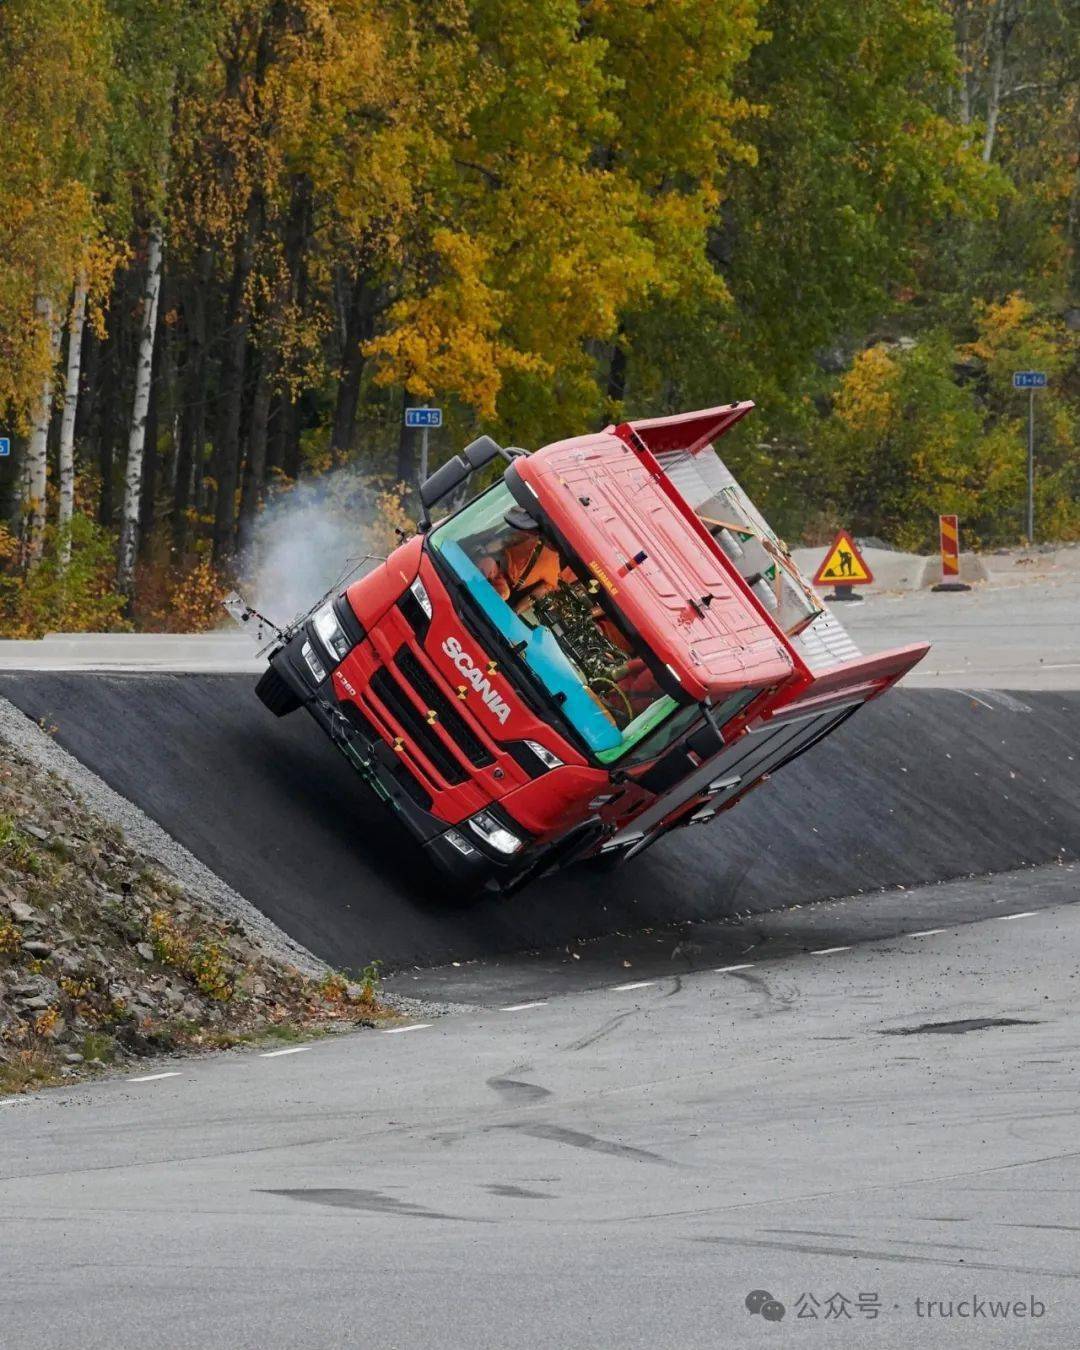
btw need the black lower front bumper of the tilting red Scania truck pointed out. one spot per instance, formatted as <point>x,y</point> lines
<point>383,770</point>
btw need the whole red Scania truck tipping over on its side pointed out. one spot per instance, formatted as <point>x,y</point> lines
<point>605,646</point>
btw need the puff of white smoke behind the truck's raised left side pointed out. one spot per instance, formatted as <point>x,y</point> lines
<point>306,539</point>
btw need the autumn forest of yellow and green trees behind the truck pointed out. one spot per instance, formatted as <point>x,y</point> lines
<point>238,238</point>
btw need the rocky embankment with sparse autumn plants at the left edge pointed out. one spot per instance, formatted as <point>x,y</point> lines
<point>106,961</point>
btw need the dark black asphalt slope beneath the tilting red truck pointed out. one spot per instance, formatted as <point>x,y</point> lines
<point>921,786</point>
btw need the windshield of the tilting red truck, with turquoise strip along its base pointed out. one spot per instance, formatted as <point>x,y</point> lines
<point>556,624</point>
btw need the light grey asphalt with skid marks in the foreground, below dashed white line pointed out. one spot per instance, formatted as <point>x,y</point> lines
<point>618,1168</point>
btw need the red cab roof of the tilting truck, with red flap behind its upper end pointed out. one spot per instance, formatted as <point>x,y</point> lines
<point>608,497</point>
